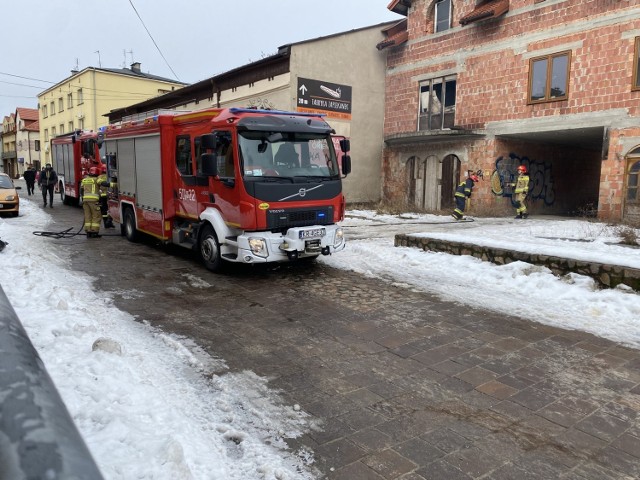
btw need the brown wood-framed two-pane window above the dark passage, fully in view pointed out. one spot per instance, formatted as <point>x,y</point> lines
<point>549,77</point>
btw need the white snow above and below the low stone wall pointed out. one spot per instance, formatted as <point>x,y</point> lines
<point>528,291</point>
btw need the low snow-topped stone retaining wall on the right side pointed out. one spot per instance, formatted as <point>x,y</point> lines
<point>606,275</point>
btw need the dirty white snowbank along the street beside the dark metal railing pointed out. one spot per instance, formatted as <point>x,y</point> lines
<point>149,413</point>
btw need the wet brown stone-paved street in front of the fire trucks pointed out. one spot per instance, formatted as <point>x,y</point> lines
<point>402,384</point>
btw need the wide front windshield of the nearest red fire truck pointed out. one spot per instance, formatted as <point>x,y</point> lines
<point>293,155</point>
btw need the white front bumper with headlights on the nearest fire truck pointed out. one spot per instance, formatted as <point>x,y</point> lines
<point>297,242</point>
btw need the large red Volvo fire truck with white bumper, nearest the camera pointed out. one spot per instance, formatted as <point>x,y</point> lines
<point>236,185</point>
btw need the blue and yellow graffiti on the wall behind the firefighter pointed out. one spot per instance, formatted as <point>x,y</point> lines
<point>541,178</point>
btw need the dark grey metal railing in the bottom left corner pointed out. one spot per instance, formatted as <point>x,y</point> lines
<point>38,439</point>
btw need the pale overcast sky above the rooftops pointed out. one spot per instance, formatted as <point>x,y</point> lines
<point>44,40</point>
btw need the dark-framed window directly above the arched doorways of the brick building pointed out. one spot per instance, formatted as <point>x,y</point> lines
<point>437,103</point>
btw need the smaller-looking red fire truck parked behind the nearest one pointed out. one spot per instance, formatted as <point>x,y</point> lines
<point>71,164</point>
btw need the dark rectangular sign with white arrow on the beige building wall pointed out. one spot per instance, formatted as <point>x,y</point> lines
<point>332,99</point>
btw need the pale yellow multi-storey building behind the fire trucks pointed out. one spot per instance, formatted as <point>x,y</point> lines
<point>80,101</point>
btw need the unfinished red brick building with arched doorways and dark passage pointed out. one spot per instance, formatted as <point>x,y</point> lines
<point>489,85</point>
